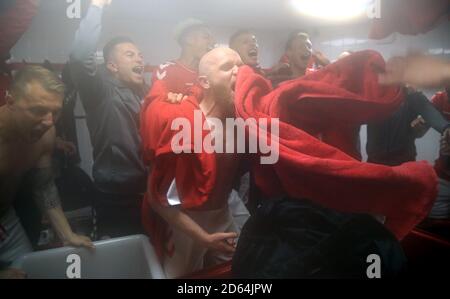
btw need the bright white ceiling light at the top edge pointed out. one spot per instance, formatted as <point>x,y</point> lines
<point>337,10</point>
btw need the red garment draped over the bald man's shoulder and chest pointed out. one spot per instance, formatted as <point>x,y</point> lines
<point>195,174</point>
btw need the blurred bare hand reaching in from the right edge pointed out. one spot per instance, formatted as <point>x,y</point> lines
<point>417,70</point>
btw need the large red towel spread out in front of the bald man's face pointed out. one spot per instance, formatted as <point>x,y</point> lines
<point>344,93</point>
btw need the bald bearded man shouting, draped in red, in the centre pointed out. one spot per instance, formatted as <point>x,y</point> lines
<point>200,231</point>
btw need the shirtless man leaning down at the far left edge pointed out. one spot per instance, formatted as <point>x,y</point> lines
<point>27,138</point>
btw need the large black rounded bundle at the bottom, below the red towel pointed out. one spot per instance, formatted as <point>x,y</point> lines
<point>293,238</point>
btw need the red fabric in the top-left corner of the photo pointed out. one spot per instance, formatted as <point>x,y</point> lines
<point>14,22</point>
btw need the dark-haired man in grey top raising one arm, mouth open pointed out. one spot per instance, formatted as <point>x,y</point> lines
<point>111,95</point>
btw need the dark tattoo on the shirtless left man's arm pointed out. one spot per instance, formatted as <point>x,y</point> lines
<point>45,192</point>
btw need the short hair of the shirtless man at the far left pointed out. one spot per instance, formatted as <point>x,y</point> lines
<point>46,78</point>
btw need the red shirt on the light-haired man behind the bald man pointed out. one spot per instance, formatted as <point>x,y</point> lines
<point>176,77</point>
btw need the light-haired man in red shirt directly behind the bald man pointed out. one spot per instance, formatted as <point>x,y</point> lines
<point>195,40</point>
